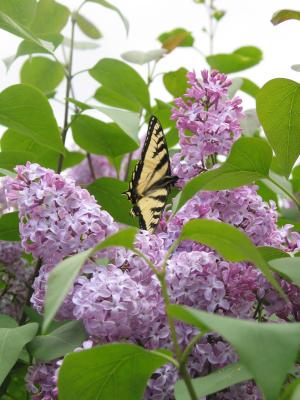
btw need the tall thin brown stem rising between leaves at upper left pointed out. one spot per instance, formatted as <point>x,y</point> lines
<point>68,91</point>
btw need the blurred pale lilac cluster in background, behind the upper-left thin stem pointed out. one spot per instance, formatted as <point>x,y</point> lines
<point>82,174</point>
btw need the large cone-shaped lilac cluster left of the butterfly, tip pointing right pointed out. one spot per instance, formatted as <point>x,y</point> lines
<point>57,219</point>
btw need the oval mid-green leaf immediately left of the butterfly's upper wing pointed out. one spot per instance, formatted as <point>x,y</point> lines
<point>99,137</point>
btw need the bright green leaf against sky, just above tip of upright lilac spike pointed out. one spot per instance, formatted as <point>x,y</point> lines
<point>241,59</point>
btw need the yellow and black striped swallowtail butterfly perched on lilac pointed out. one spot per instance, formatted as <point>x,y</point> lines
<point>151,179</point>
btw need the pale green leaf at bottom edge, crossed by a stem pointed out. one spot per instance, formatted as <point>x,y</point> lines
<point>214,382</point>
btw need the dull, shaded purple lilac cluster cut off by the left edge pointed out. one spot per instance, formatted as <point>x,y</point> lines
<point>15,273</point>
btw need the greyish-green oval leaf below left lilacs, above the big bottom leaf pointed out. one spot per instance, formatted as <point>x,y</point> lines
<point>59,342</point>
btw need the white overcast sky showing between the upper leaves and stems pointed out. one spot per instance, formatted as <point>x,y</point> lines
<point>247,22</point>
